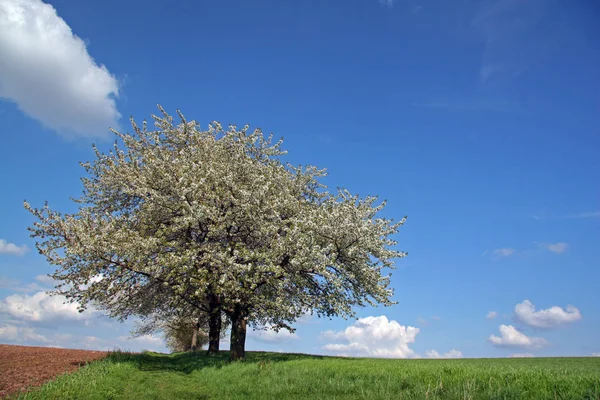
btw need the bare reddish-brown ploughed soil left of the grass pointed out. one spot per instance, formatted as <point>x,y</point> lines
<point>24,366</point>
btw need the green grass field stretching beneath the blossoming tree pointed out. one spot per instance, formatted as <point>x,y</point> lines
<point>291,376</point>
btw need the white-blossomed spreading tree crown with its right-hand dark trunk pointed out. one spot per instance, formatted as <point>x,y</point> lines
<point>216,220</point>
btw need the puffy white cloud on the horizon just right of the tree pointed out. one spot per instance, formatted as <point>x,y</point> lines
<point>373,337</point>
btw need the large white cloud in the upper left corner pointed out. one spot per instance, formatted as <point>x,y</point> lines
<point>48,73</point>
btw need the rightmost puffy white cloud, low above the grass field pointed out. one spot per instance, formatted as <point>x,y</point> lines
<point>549,318</point>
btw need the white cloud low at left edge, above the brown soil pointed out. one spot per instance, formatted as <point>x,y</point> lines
<point>41,307</point>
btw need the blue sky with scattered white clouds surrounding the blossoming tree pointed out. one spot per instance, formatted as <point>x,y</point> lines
<point>479,120</point>
